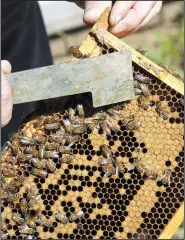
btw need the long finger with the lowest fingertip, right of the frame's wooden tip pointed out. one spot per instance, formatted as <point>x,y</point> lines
<point>133,19</point>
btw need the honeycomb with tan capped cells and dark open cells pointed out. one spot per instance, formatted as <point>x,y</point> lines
<point>127,204</point>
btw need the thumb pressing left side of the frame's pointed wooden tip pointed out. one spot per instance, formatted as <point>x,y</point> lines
<point>94,9</point>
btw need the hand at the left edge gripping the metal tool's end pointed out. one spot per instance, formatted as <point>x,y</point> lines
<point>6,94</point>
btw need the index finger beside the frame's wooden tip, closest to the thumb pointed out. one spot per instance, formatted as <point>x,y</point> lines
<point>119,11</point>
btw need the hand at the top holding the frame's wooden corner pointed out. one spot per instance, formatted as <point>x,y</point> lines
<point>126,16</point>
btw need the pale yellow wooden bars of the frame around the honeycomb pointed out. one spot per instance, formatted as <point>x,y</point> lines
<point>89,46</point>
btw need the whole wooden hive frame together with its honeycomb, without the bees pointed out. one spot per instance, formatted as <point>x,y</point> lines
<point>128,206</point>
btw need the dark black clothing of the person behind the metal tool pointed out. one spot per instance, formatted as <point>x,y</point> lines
<point>25,45</point>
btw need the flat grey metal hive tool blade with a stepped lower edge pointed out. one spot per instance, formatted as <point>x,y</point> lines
<point>108,77</point>
